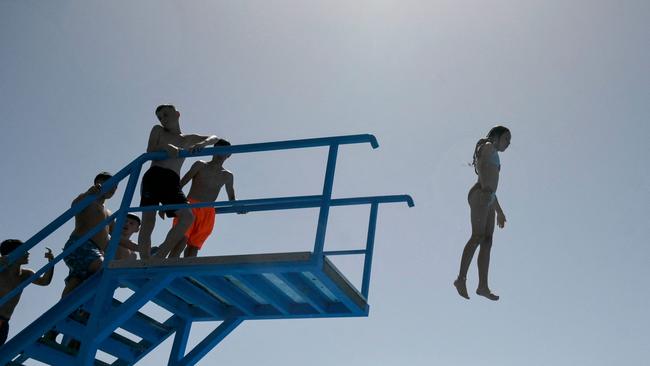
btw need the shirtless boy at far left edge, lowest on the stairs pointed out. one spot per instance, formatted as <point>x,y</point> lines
<point>12,277</point>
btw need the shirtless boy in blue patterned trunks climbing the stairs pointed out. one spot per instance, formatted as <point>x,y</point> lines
<point>88,258</point>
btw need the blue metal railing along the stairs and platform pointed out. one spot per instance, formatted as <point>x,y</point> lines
<point>132,171</point>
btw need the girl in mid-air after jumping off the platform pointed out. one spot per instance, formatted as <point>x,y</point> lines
<point>484,205</point>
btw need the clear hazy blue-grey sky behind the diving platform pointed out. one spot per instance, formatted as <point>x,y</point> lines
<point>79,82</point>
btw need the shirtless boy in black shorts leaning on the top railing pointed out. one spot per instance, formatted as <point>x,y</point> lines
<point>161,183</point>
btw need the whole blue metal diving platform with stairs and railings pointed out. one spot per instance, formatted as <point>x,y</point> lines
<point>227,289</point>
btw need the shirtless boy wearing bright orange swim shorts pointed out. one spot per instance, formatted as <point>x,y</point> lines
<point>207,180</point>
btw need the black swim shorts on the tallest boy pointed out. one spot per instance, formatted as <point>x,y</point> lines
<point>161,186</point>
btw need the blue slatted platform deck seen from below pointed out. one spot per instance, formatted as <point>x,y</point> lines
<point>261,286</point>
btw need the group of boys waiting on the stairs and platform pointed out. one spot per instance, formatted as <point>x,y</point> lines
<point>161,184</point>
